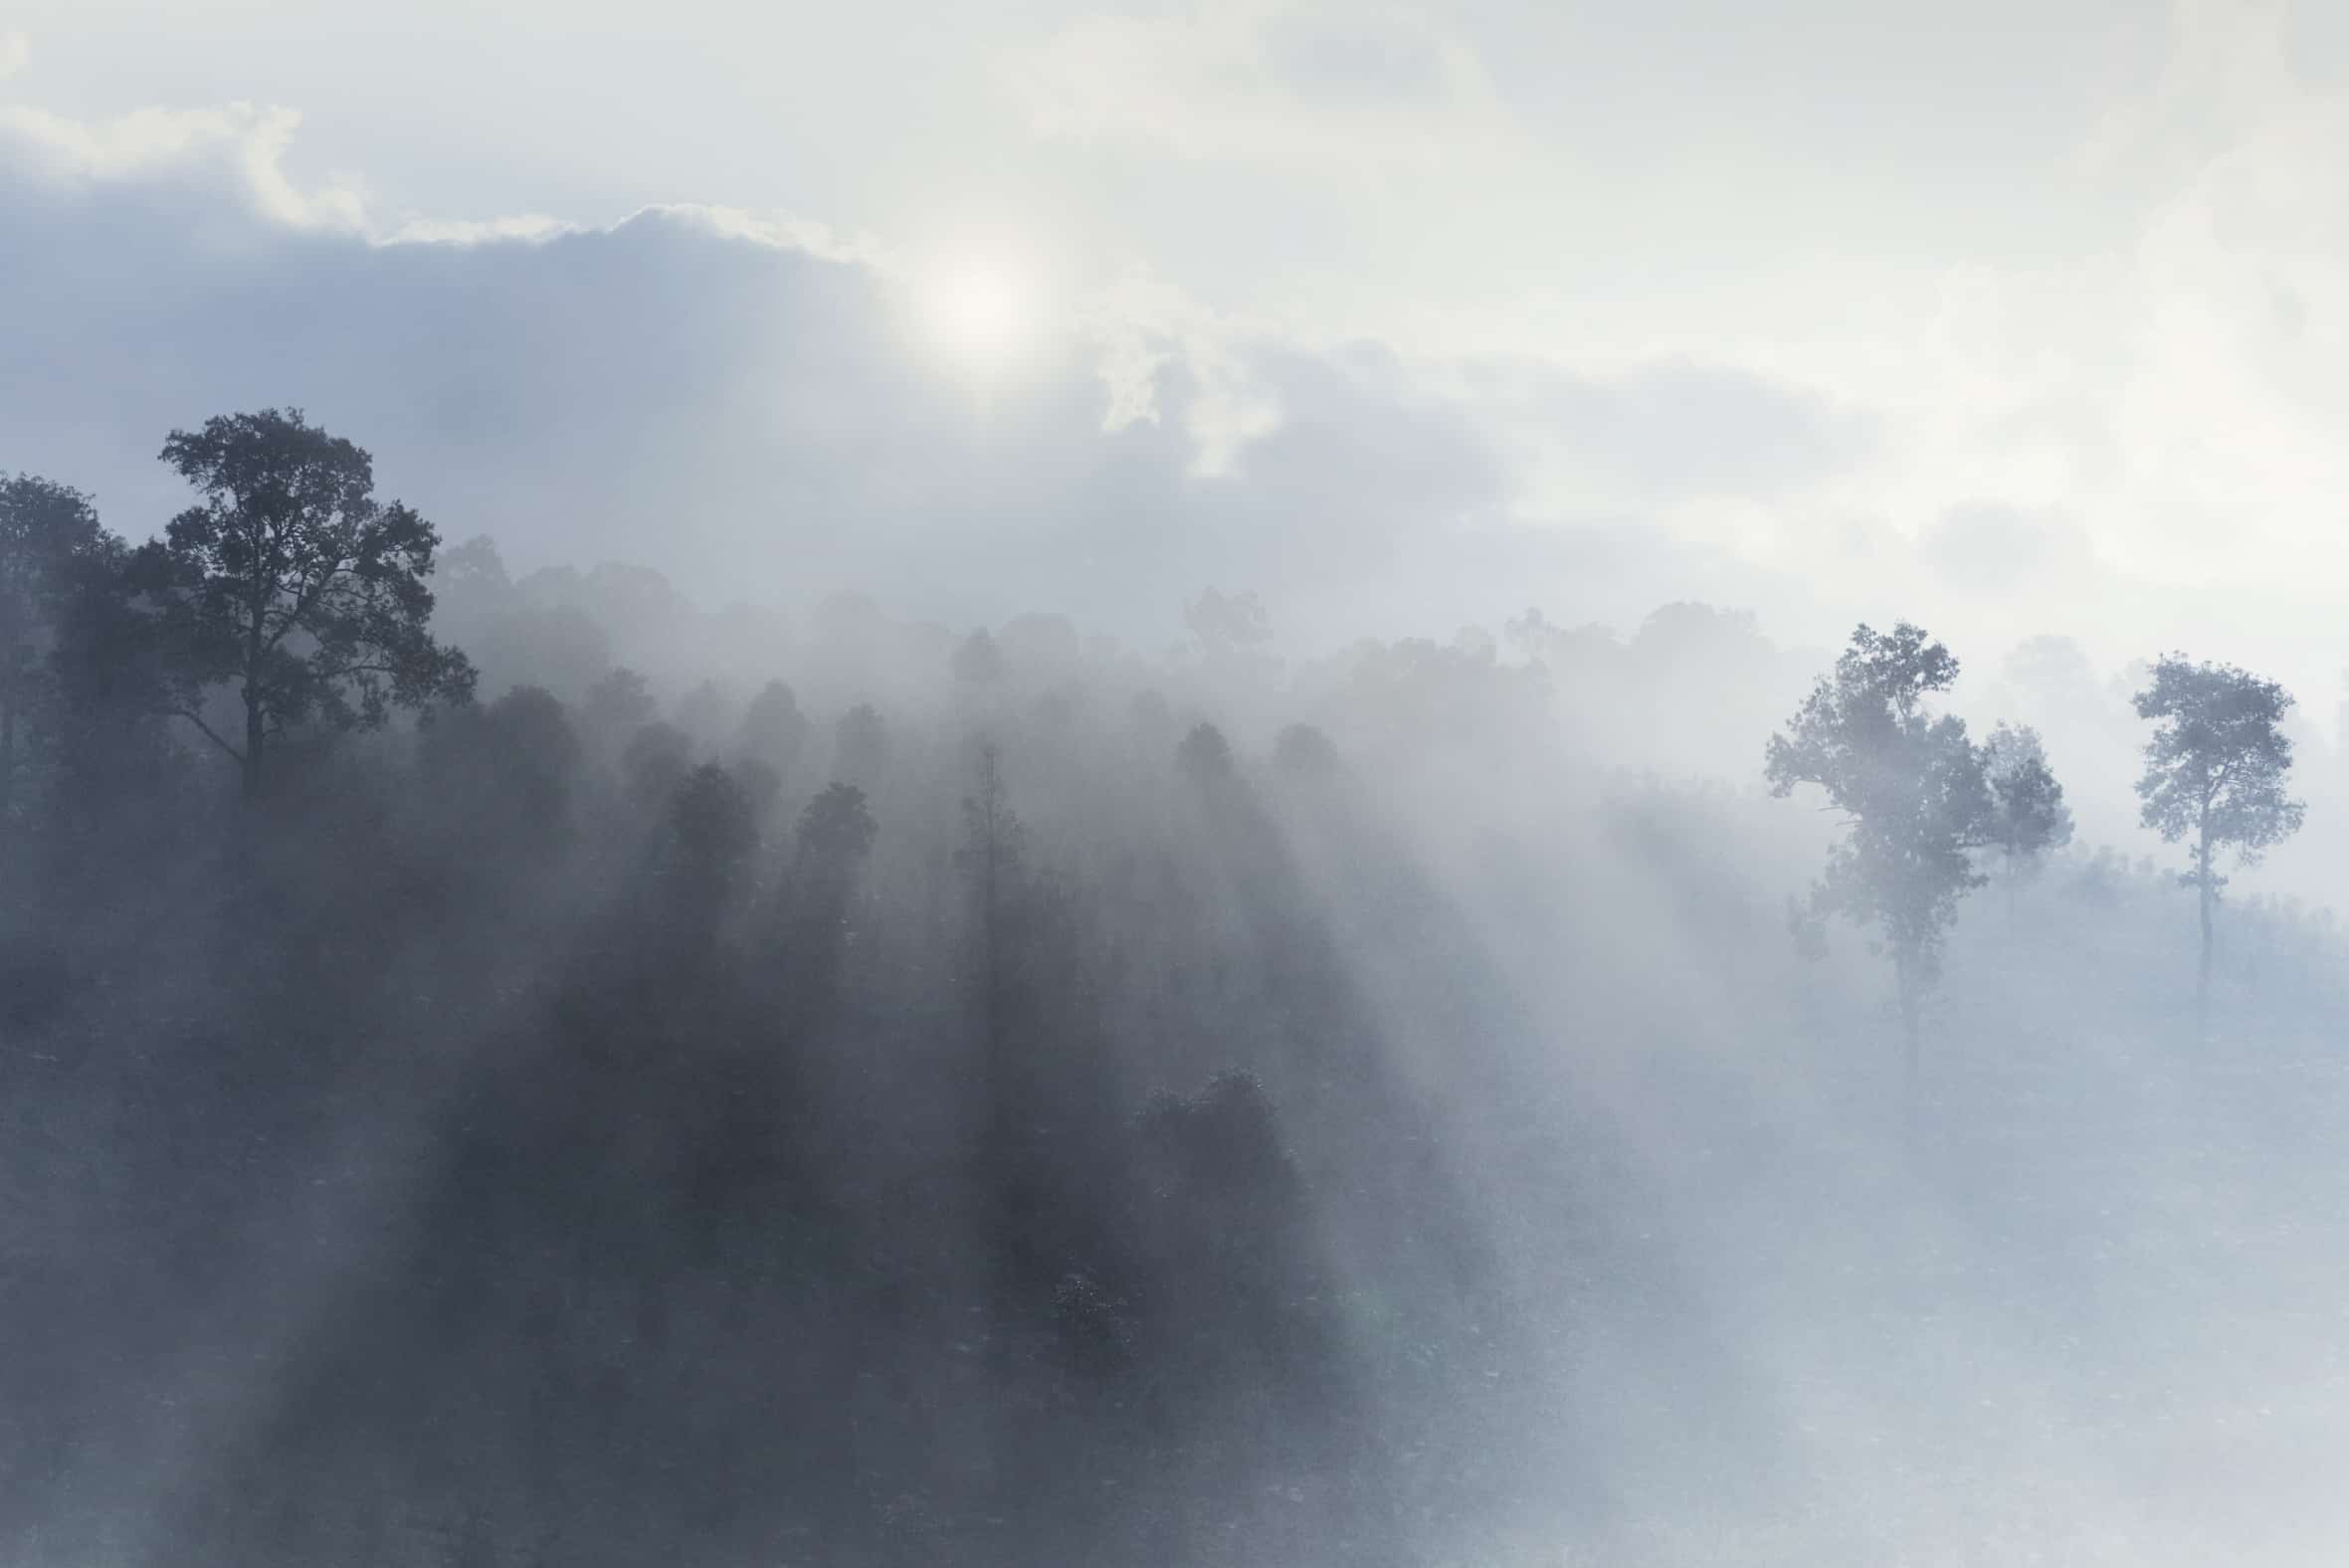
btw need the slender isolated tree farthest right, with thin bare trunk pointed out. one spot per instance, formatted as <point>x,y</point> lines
<point>2214,778</point>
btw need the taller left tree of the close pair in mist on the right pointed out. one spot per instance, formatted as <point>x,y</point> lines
<point>1911,792</point>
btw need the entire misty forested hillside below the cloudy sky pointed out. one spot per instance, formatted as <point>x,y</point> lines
<point>520,1069</point>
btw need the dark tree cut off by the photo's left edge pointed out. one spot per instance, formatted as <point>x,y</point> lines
<point>51,543</point>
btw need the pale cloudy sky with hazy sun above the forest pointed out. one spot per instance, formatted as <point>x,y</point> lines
<point>2007,318</point>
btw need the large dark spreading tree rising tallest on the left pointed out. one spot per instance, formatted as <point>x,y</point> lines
<point>292,583</point>
